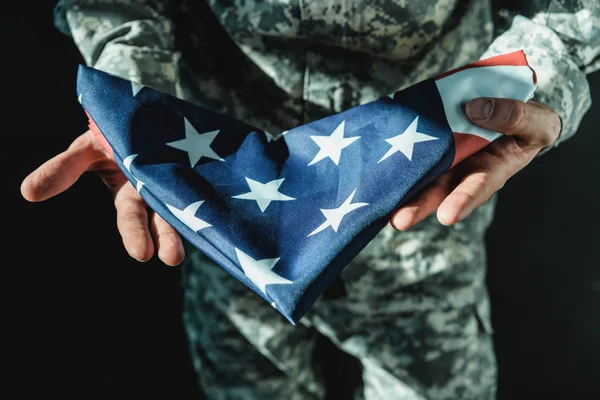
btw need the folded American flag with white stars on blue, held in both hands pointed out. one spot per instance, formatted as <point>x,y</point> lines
<point>286,215</point>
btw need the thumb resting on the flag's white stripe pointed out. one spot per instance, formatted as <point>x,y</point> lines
<point>533,122</point>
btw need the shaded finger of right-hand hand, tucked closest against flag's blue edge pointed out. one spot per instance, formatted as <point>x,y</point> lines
<point>423,205</point>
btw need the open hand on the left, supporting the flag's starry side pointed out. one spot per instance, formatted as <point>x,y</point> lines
<point>142,230</point>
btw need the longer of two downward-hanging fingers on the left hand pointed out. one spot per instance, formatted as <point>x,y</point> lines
<point>132,222</point>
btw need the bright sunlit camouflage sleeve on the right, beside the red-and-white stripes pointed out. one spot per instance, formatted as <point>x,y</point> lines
<point>561,39</point>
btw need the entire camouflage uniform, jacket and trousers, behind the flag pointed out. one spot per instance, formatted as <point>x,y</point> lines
<point>412,306</point>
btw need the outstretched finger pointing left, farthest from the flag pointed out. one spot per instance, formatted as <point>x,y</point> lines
<point>62,171</point>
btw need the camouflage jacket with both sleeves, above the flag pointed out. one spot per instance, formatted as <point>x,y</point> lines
<point>312,58</point>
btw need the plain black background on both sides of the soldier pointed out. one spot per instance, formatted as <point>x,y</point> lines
<point>84,320</point>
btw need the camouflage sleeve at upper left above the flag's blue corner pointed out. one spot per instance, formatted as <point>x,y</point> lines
<point>132,39</point>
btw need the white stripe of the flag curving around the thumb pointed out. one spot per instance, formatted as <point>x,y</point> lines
<point>515,82</point>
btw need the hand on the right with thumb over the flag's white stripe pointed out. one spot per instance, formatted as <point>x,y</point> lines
<point>527,128</point>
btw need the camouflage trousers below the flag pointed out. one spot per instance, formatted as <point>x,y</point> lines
<point>417,338</point>
